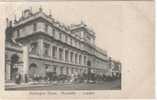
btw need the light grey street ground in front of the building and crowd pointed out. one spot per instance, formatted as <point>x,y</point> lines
<point>107,85</point>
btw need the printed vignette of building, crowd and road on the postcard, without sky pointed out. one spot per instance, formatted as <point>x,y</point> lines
<point>44,53</point>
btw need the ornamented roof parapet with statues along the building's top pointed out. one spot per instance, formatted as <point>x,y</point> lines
<point>31,16</point>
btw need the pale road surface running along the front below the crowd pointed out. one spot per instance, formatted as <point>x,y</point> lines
<point>107,85</point>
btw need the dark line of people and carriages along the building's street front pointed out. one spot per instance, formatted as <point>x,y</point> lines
<point>73,78</point>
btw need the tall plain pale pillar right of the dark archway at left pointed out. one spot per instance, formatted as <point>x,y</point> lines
<point>25,63</point>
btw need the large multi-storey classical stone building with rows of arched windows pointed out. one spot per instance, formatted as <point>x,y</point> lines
<point>36,43</point>
